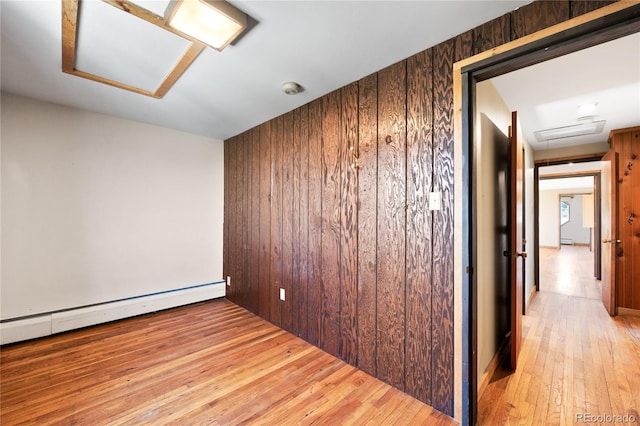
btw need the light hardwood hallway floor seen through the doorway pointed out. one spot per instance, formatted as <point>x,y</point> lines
<point>575,360</point>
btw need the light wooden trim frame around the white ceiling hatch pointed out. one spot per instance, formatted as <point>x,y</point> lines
<point>70,34</point>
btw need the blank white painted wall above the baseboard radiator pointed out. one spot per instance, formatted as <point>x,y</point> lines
<point>97,208</point>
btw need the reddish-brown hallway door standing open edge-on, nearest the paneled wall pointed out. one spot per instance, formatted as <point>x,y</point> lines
<point>517,246</point>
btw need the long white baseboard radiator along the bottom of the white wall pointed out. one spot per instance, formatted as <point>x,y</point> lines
<point>46,324</point>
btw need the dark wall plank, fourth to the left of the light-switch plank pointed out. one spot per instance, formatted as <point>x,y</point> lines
<point>349,225</point>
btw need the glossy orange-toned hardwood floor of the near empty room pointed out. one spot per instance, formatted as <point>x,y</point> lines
<point>213,363</point>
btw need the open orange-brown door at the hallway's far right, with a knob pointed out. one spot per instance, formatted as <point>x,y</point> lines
<point>609,215</point>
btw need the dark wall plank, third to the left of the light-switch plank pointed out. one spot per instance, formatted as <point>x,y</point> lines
<point>367,222</point>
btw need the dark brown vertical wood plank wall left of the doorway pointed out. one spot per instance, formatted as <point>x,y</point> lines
<point>366,267</point>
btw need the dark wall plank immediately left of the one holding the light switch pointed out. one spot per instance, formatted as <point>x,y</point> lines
<point>419,181</point>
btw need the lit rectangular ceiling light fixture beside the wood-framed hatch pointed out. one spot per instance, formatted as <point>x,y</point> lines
<point>213,22</point>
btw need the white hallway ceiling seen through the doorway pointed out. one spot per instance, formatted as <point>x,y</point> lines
<point>547,95</point>
